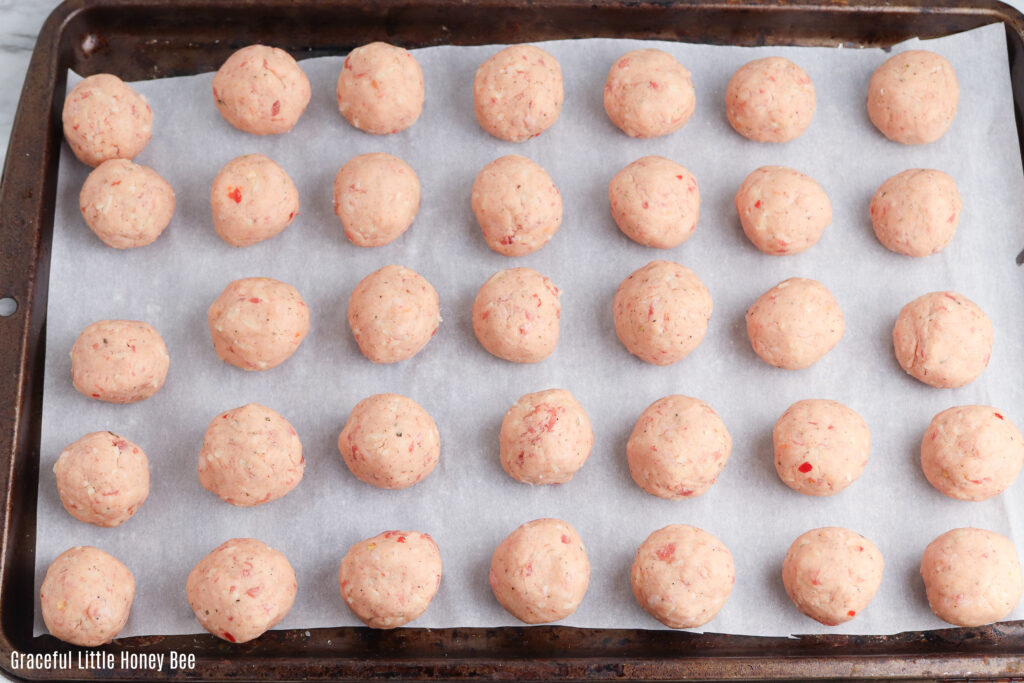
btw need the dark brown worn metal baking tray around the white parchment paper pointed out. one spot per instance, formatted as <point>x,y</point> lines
<point>143,39</point>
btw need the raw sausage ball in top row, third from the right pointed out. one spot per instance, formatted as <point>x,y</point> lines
<point>649,94</point>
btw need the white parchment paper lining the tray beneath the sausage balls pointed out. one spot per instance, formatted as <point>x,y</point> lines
<point>468,504</point>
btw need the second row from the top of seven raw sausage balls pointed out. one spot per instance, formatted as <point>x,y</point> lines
<point>655,201</point>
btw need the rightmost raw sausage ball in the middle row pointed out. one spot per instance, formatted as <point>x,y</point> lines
<point>944,339</point>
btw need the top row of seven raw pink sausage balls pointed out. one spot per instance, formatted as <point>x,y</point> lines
<point>518,95</point>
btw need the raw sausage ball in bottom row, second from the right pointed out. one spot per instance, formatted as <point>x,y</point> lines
<point>832,574</point>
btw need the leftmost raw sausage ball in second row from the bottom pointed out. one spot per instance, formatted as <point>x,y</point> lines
<point>103,479</point>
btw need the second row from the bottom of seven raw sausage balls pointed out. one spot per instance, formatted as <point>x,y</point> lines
<point>679,446</point>
